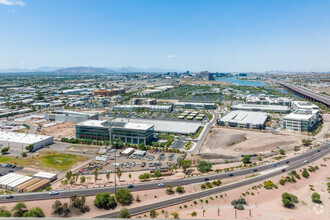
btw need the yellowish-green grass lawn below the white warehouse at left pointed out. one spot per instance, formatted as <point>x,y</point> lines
<point>46,159</point>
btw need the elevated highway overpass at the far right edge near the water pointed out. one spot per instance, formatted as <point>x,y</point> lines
<point>307,94</point>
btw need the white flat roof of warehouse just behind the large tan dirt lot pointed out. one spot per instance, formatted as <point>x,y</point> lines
<point>245,117</point>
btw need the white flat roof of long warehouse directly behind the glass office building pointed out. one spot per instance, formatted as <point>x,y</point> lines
<point>164,126</point>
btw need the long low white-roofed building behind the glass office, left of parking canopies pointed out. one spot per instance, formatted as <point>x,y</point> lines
<point>151,108</point>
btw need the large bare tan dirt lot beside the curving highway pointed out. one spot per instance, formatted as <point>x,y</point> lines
<point>221,141</point>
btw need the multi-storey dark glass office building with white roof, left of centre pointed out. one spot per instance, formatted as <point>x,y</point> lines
<point>134,133</point>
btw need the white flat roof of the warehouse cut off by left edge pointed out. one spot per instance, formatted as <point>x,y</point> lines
<point>22,137</point>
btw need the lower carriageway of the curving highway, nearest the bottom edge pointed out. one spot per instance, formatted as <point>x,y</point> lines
<point>182,199</point>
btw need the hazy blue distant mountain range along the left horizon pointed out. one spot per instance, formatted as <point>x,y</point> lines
<point>86,70</point>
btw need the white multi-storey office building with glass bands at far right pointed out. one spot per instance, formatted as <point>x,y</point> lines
<point>301,120</point>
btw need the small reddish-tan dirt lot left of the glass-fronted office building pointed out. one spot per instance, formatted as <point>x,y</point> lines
<point>59,130</point>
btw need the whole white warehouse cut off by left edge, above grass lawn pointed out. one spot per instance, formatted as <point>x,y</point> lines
<point>21,140</point>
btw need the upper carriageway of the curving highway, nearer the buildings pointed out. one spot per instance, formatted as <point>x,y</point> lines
<point>139,187</point>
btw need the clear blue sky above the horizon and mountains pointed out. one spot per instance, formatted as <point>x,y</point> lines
<point>219,35</point>
